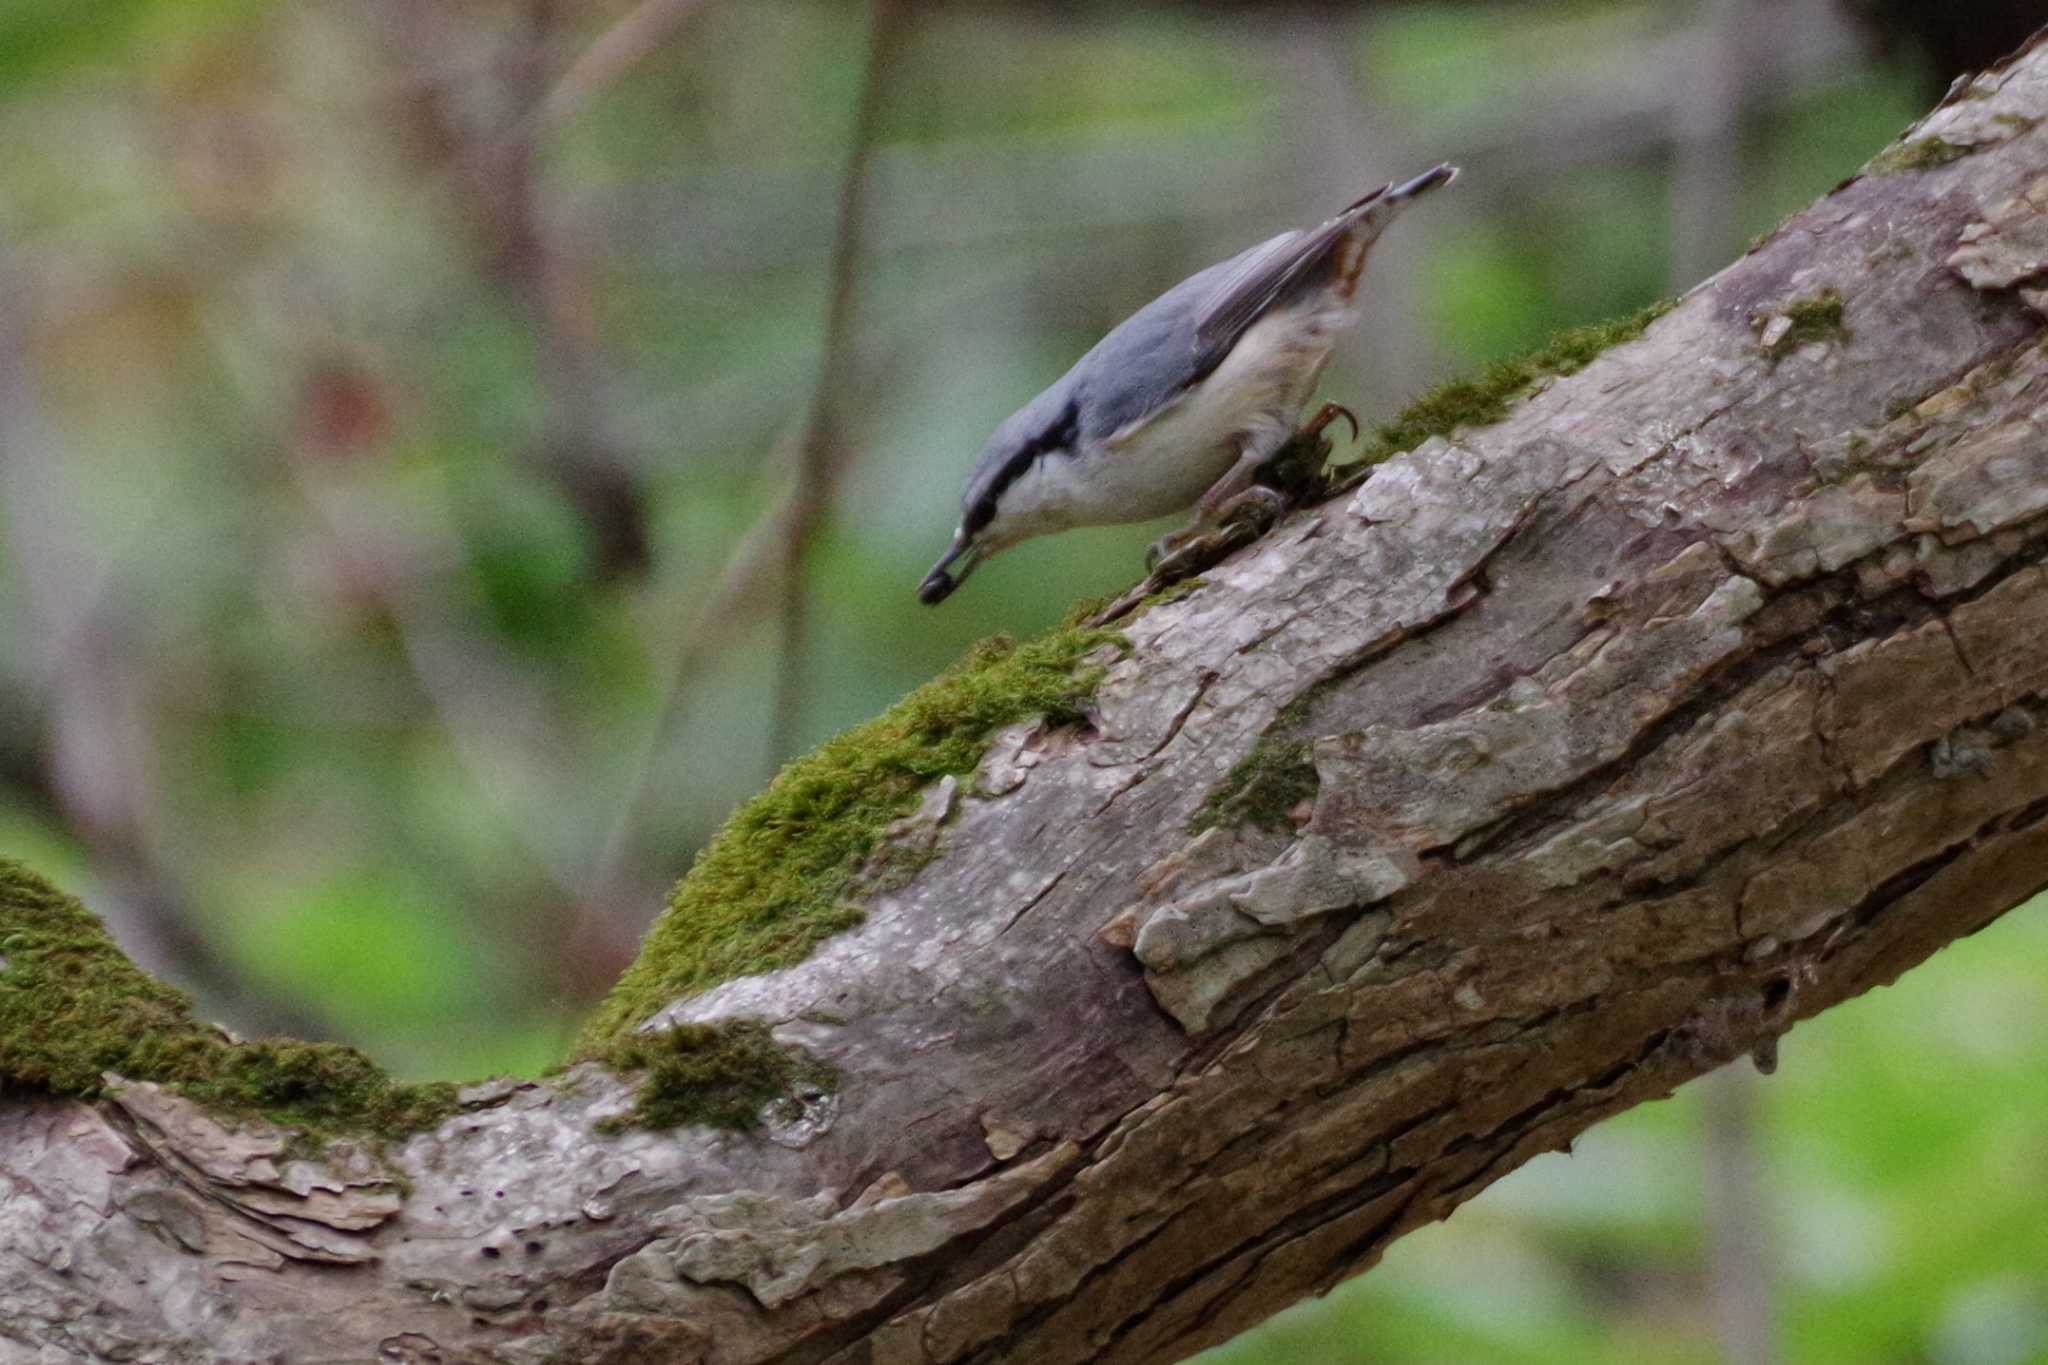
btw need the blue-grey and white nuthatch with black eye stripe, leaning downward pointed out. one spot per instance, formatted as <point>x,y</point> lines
<point>1183,402</point>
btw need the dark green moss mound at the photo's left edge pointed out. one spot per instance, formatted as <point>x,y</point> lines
<point>75,1008</point>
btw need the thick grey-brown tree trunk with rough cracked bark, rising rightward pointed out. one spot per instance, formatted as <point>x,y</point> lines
<point>1703,693</point>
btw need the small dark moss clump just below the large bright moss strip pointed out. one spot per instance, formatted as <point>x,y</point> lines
<point>710,1073</point>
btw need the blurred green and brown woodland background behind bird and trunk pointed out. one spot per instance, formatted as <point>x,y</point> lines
<point>456,449</point>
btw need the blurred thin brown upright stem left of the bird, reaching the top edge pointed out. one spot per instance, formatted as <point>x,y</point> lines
<point>822,451</point>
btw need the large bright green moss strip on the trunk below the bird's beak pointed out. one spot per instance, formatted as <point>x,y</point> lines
<point>779,877</point>
